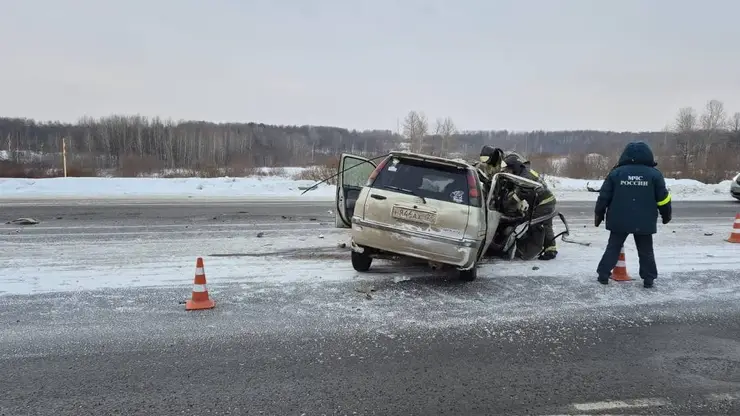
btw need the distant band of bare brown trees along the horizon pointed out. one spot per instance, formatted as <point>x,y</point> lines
<point>695,145</point>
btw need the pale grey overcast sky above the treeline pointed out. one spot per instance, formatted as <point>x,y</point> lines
<point>488,64</point>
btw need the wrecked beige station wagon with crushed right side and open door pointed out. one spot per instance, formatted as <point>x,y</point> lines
<point>429,208</point>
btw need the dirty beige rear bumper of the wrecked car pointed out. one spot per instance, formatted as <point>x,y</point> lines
<point>457,252</point>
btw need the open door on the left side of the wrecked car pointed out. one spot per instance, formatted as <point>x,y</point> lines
<point>353,174</point>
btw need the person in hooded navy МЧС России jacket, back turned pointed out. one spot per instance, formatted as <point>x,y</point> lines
<point>631,197</point>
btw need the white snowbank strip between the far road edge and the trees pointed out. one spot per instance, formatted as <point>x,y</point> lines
<point>277,186</point>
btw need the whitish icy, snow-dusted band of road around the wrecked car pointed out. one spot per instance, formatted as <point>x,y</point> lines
<point>258,256</point>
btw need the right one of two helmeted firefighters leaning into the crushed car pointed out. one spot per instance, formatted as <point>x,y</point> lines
<point>541,234</point>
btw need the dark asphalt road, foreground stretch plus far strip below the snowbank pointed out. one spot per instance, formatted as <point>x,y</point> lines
<point>319,350</point>
